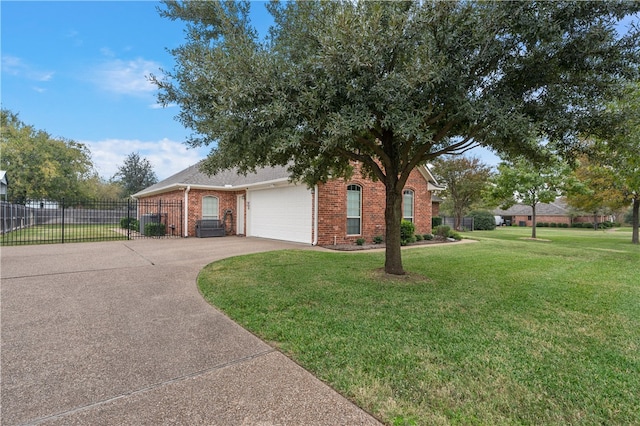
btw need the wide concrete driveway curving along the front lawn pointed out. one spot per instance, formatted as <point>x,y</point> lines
<point>116,333</point>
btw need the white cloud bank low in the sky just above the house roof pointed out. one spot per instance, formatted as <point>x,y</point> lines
<point>166,156</point>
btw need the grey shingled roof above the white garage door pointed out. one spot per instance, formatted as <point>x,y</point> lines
<point>226,179</point>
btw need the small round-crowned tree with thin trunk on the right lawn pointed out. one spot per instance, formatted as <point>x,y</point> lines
<point>523,181</point>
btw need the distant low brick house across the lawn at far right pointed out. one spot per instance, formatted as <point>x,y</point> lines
<point>555,212</point>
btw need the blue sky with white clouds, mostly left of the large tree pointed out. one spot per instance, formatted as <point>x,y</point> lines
<point>78,70</point>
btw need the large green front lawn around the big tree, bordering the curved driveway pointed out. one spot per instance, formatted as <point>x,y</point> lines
<point>502,331</point>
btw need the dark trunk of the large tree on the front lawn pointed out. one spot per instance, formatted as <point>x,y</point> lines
<point>393,218</point>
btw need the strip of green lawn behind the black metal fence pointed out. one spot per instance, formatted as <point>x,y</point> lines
<point>45,234</point>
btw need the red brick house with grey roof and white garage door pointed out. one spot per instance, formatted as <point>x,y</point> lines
<point>266,204</point>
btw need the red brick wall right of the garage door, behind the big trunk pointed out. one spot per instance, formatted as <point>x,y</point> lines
<point>332,211</point>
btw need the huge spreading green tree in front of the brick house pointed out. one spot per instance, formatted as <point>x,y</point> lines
<point>391,84</point>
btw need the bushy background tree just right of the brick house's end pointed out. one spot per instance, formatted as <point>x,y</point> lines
<point>465,180</point>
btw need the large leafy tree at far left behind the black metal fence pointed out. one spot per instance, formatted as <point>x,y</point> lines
<point>40,166</point>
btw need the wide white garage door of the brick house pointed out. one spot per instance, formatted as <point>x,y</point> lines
<point>282,213</point>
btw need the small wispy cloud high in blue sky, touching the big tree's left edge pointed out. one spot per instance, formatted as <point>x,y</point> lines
<point>126,77</point>
